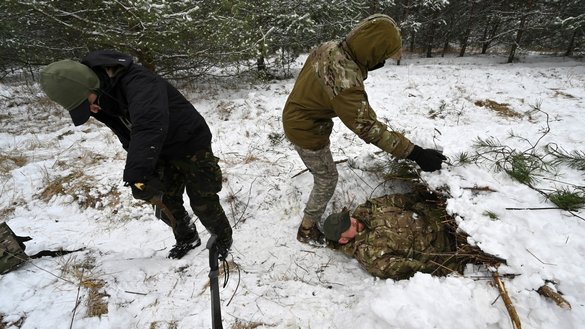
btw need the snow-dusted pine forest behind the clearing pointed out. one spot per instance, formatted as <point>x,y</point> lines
<point>260,38</point>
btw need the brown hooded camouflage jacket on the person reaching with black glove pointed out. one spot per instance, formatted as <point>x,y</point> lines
<point>331,84</point>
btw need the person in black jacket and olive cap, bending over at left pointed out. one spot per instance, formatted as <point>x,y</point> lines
<point>167,140</point>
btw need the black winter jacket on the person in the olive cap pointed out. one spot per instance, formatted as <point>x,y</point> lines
<point>151,118</point>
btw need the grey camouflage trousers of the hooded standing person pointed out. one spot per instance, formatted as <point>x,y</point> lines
<point>321,165</point>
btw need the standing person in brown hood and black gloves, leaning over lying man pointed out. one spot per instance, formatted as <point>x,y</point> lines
<point>331,84</point>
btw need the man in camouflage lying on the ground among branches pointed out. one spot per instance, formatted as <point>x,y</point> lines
<point>395,236</point>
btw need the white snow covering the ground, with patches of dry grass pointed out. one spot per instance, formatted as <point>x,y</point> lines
<point>276,282</point>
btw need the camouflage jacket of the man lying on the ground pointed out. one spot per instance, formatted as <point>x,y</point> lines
<point>401,238</point>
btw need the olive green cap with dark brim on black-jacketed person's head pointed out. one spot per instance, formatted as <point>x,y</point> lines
<point>69,83</point>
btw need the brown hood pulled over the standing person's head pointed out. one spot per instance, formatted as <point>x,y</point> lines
<point>374,40</point>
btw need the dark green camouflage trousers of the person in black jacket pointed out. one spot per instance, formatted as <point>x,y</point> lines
<point>199,175</point>
